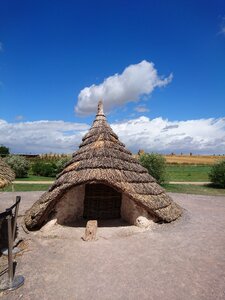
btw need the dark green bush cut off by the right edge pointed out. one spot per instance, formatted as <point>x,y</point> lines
<point>217,173</point>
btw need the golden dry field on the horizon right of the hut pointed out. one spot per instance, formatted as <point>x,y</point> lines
<point>194,159</point>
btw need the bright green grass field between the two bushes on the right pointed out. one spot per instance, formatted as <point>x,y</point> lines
<point>188,172</point>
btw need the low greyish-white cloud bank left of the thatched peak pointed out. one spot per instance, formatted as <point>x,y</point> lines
<point>41,136</point>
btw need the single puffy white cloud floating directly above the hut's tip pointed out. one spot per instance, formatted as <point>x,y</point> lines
<point>135,81</point>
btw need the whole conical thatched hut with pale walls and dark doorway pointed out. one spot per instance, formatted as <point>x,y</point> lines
<point>102,181</point>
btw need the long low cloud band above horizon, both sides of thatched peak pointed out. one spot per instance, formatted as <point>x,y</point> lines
<point>203,136</point>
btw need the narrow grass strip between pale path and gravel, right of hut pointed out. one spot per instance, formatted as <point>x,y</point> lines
<point>194,189</point>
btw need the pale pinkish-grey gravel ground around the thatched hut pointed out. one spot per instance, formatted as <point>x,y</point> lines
<point>183,260</point>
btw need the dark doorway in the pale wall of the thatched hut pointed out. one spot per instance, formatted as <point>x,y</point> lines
<point>101,202</point>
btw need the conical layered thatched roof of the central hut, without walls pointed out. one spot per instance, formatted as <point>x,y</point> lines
<point>102,158</point>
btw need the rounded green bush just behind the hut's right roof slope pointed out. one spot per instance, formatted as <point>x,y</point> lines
<point>155,164</point>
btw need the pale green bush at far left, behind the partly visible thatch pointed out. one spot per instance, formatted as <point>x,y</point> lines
<point>19,164</point>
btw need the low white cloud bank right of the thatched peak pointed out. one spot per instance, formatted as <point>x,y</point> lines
<point>199,136</point>
